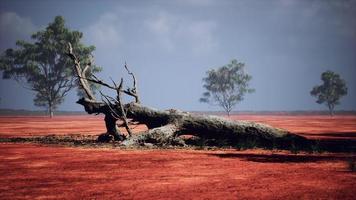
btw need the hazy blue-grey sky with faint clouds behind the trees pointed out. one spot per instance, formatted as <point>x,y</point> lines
<point>285,44</point>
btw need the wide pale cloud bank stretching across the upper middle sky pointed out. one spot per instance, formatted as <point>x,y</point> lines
<point>152,27</point>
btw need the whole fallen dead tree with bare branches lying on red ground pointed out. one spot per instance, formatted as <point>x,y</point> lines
<point>165,127</point>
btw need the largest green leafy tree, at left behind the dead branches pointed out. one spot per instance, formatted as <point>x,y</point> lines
<point>44,67</point>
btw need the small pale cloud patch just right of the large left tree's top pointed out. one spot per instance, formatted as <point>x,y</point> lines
<point>105,32</point>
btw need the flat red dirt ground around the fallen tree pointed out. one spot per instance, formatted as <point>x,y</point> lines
<point>30,171</point>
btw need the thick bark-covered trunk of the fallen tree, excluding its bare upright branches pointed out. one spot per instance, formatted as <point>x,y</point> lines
<point>165,127</point>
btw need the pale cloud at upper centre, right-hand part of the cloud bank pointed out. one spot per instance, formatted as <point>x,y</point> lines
<point>172,31</point>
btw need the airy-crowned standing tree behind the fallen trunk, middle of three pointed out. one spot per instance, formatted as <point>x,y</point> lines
<point>226,86</point>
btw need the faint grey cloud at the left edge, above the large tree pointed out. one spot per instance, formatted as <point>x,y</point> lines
<point>14,27</point>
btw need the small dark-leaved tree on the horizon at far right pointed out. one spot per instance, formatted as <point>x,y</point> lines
<point>330,92</point>
